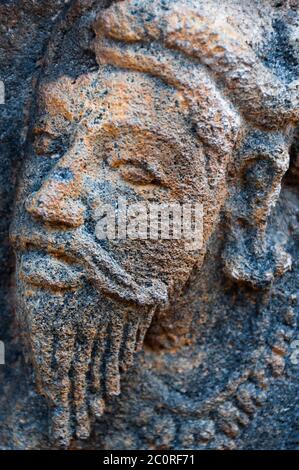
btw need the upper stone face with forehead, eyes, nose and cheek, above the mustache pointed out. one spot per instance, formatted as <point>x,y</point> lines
<point>111,135</point>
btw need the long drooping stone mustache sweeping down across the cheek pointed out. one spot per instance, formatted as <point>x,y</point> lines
<point>102,270</point>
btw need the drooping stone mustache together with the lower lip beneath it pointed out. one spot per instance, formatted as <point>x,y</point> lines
<point>96,263</point>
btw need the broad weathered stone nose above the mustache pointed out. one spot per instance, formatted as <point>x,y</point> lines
<point>58,200</point>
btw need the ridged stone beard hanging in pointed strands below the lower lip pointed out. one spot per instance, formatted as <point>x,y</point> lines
<point>79,341</point>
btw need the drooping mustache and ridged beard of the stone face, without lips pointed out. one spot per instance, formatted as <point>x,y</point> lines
<point>79,353</point>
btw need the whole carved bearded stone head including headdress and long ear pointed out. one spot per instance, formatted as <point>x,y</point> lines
<point>179,108</point>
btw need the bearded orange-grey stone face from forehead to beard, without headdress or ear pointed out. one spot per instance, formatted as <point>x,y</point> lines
<point>131,139</point>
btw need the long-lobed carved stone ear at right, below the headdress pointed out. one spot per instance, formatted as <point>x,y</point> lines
<point>248,256</point>
